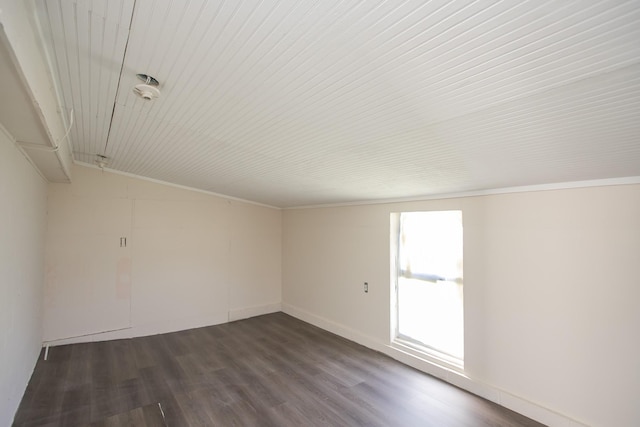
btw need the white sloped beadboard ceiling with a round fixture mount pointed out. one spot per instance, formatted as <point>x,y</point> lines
<point>292,103</point>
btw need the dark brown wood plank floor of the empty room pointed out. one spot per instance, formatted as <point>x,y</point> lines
<point>271,370</point>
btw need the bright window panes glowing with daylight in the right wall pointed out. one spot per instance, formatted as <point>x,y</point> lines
<point>430,294</point>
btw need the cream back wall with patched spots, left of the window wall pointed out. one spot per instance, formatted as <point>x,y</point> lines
<point>191,259</point>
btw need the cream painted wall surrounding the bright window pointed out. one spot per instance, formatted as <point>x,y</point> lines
<point>552,284</point>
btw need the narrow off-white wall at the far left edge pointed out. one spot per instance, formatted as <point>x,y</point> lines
<point>22,217</point>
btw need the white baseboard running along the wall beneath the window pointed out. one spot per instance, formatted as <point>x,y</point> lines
<point>494,394</point>
